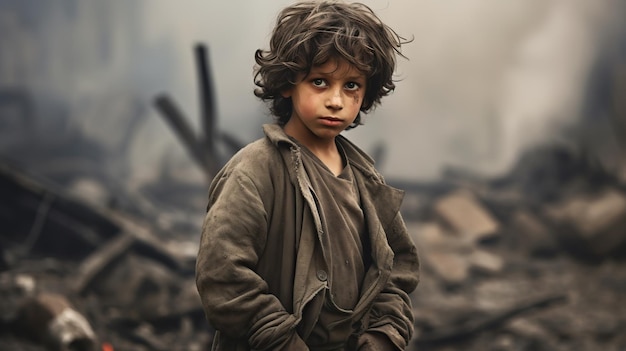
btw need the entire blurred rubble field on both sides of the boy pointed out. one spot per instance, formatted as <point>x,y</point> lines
<point>530,261</point>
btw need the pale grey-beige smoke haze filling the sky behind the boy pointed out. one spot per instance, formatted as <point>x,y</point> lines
<point>485,79</point>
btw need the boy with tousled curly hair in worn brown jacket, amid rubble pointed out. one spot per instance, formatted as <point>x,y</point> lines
<point>303,246</point>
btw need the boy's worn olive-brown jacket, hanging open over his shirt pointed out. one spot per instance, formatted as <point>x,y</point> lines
<point>261,260</point>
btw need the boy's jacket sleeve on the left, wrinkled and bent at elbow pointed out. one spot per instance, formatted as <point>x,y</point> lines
<point>236,299</point>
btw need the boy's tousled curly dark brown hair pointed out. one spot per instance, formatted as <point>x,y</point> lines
<point>310,33</point>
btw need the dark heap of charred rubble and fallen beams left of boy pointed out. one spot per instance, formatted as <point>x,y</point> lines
<point>78,277</point>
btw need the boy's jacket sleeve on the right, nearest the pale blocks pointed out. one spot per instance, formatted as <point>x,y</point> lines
<point>391,312</point>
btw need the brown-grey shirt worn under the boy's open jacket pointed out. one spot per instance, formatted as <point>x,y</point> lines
<point>344,222</point>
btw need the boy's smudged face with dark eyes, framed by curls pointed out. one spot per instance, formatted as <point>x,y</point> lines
<point>325,102</point>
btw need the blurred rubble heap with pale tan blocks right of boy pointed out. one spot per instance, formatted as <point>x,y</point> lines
<point>531,261</point>
